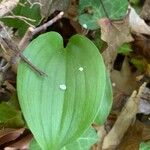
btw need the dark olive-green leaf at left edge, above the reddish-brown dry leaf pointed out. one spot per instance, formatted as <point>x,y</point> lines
<point>10,117</point>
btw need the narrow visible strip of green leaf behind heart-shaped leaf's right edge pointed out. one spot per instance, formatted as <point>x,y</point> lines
<point>106,103</point>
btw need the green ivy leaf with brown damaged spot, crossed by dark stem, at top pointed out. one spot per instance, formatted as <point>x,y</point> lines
<point>91,11</point>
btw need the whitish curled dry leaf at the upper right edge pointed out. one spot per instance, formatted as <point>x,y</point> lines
<point>137,24</point>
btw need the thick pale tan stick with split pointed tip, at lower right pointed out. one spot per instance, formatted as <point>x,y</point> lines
<point>124,120</point>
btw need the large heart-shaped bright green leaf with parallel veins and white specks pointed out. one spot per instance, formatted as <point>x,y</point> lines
<point>59,107</point>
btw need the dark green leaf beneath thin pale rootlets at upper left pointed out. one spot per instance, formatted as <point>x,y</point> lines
<point>24,10</point>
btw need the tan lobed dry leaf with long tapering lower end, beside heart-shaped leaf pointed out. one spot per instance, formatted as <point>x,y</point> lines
<point>115,33</point>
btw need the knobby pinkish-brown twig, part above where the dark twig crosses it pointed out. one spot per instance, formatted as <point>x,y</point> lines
<point>33,31</point>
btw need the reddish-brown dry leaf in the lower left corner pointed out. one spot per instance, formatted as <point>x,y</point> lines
<point>7,134</point>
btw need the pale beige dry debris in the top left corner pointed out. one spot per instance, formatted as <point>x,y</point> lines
<point>7,5</point>
